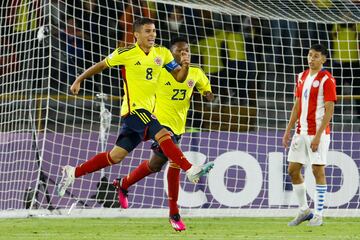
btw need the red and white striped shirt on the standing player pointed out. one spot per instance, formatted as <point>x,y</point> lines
<point>313,92</point>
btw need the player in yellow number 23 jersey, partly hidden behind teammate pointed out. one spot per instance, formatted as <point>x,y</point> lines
<point>171,108</point>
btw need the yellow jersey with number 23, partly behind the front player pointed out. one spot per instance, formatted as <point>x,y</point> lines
<point>173,98</point>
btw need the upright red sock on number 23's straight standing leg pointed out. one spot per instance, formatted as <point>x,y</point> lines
<point>173,188</point>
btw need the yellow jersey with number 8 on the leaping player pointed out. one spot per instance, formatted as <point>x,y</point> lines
<point>140,72</point>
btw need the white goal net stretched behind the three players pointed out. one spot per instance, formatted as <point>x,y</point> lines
<point>250,50</point>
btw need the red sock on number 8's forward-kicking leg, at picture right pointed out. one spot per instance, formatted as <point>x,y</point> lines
<point>173,152</point>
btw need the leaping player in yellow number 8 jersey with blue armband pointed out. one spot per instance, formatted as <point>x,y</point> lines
<point>141,65</point>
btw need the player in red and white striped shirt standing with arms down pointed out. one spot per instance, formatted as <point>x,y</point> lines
<point>313,109</point>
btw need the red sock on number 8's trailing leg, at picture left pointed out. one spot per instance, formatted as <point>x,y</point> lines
<point>99,161</point>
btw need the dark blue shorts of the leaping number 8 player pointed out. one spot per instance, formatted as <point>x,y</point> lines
<point>140,125</point>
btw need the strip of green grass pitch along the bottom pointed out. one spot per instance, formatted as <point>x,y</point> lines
<point>159,228</point>
